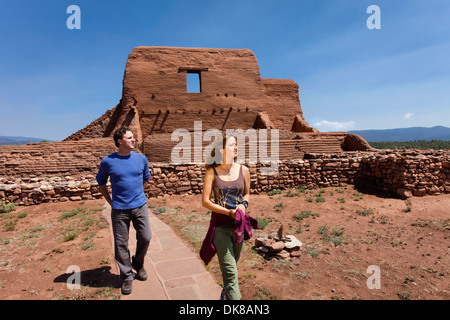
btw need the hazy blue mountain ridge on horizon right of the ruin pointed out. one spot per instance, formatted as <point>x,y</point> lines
<point>405,134</point>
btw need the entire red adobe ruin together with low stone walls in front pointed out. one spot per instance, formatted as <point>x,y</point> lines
<point>231,95</point>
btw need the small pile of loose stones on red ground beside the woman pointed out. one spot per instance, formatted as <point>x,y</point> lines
<point>278,246</point>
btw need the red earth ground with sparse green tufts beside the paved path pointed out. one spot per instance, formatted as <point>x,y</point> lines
<point>345,232</point>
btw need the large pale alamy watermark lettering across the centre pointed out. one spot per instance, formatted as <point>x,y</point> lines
<point>186,152</point>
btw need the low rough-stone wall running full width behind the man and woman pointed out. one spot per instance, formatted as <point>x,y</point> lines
<point>399,173</point>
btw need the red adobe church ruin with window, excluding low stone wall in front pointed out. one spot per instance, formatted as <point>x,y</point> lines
<point>232,95</point>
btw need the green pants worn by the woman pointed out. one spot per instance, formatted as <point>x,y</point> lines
<point>228,252</point>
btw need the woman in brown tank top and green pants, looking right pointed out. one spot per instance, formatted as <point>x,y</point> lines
<point>230,183</point>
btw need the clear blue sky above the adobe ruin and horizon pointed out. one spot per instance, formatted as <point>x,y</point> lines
<point>55,81</point>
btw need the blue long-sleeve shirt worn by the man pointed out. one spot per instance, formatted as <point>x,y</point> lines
<point>127,174</point>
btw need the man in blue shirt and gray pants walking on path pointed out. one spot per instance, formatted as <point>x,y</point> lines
<point>129,174</point>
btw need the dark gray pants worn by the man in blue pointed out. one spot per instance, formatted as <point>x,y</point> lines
<point>121,225</point>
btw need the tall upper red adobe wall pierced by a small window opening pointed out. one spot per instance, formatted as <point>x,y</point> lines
<point>232,91</point>
